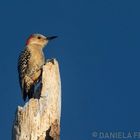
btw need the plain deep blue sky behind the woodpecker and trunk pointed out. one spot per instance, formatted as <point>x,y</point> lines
<point>98,51</point>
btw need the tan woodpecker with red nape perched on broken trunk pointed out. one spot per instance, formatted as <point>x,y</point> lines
<point>30,63</point>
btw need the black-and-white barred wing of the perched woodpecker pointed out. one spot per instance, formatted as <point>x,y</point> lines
<point>23,66</point>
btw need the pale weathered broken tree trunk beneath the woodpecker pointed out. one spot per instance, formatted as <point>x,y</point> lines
<point>39,119</point>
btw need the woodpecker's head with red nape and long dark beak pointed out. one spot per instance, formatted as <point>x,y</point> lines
<point>39,39</point>
